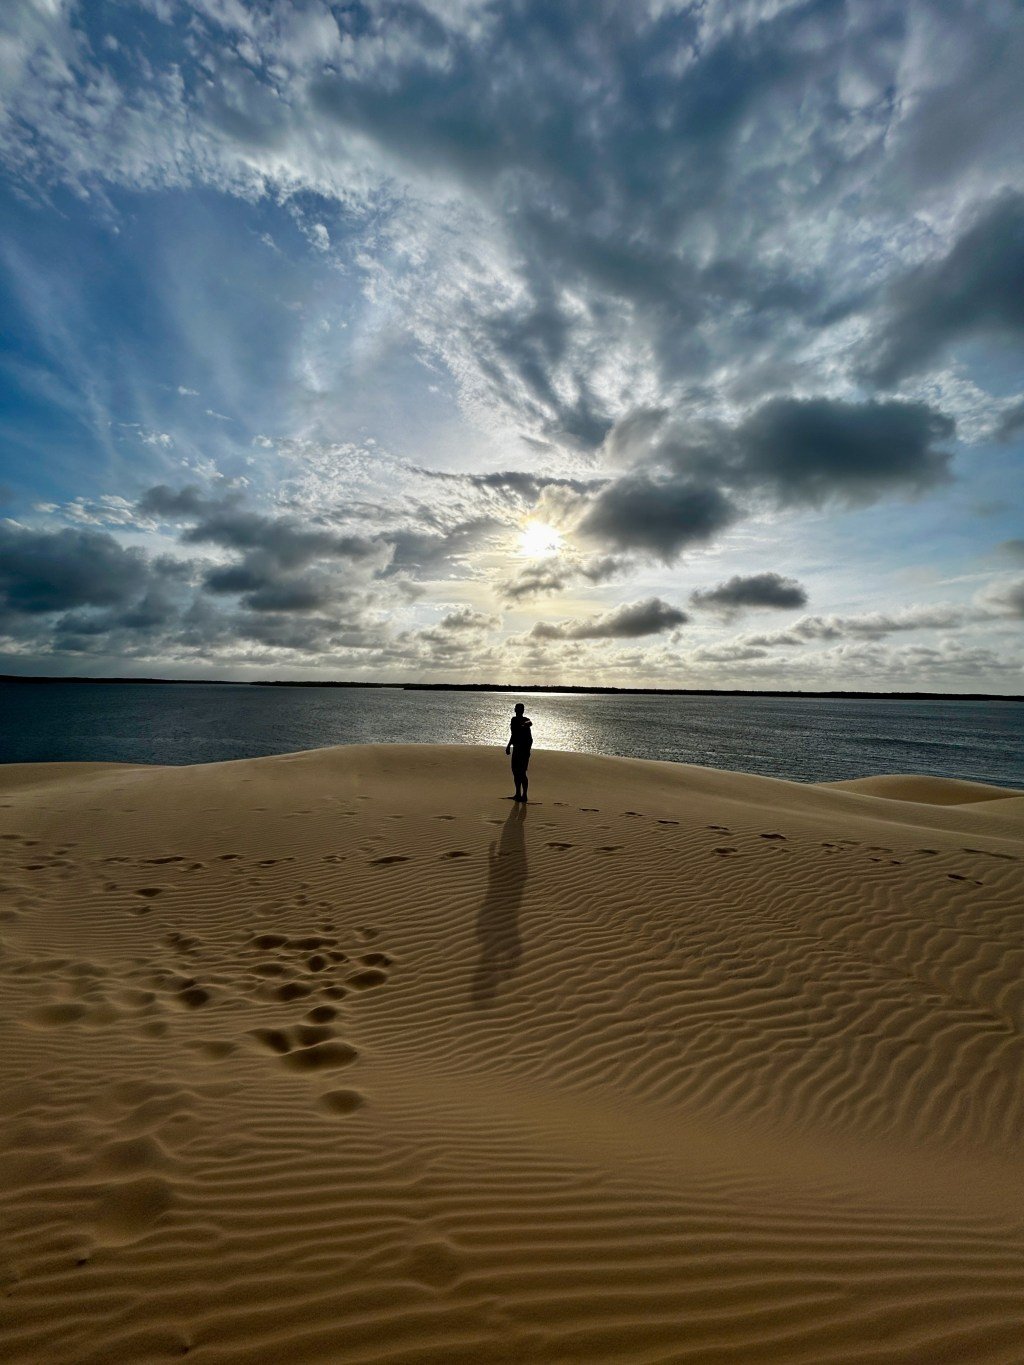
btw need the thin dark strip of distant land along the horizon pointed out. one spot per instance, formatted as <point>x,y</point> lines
<point>539,687</point>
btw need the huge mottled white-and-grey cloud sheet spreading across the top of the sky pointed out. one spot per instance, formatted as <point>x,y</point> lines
<point>577,216</point>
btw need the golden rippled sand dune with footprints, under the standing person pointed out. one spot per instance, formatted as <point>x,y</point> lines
<point>343,1057</point>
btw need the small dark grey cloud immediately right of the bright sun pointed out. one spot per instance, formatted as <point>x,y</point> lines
<point>660,517</point>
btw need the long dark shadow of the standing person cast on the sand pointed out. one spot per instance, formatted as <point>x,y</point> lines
<point>498,921</point>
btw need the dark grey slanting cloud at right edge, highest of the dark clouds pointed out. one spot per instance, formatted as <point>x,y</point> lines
<point>976,290</point>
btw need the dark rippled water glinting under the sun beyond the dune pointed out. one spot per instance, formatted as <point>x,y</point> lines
<point>806,739</point>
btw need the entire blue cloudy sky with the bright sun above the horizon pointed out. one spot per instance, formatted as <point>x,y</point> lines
<point>660,343</point>
